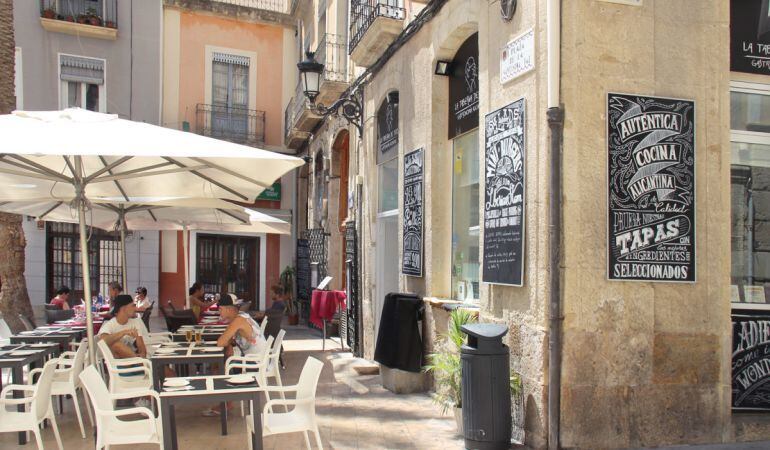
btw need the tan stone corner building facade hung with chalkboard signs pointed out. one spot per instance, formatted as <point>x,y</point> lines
<point>643,363</point>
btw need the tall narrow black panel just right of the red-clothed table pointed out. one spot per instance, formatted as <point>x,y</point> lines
<point>351,325</point>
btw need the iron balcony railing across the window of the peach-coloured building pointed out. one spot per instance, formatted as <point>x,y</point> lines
<point>234,124</point>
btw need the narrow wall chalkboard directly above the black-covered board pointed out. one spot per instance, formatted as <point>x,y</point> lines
<point>411,262</point>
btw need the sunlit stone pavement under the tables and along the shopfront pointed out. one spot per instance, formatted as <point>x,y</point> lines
<point>354,412</point>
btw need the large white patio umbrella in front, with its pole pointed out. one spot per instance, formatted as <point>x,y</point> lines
<point>80,154</point>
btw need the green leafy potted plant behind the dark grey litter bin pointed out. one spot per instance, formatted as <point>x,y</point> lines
<point>446,366</point>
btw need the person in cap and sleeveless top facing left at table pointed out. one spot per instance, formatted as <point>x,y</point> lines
<point>242,331</point>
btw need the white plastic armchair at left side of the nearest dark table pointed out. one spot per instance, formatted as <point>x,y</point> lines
<point>110,430</point>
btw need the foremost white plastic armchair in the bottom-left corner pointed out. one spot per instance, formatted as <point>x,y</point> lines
<point>38,409</point>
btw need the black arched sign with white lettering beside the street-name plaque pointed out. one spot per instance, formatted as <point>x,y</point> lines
<point>464,88</point>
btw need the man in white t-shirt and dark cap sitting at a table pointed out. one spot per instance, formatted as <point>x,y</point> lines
<point>124,333</point>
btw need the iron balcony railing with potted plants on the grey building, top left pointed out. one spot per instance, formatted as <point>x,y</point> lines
<point>102,13</point>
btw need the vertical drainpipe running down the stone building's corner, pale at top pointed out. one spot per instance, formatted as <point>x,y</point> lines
<point>555,116</point>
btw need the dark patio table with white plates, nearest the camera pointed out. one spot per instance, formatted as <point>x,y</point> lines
<point>212,389</point>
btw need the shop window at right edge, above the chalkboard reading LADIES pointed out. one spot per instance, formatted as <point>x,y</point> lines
<point>750,194</point>
